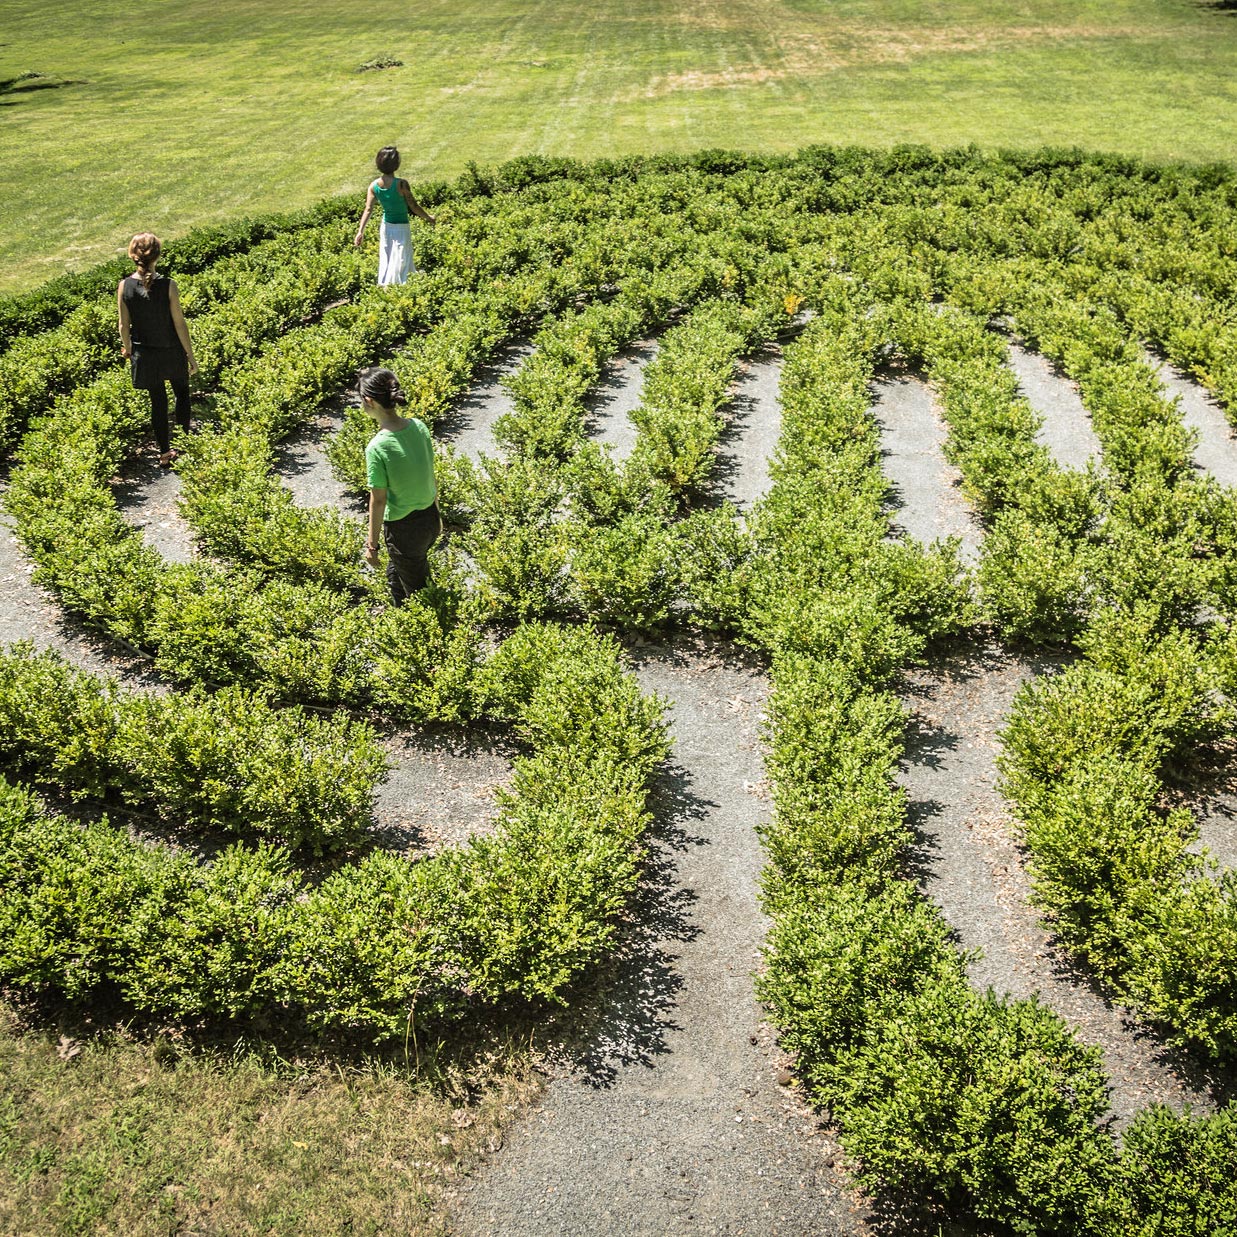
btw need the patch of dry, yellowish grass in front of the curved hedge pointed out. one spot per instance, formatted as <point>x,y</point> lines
<point>111,1135</point>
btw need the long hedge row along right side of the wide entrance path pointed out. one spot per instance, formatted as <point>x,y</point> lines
<point>977,1100</point>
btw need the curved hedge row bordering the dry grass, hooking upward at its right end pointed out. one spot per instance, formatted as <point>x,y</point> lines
<point>383,942</point>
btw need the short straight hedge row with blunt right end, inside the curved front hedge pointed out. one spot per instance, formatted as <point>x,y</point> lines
<point>211,763</point>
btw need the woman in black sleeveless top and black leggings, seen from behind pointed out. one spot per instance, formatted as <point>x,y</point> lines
<point>154,335</point>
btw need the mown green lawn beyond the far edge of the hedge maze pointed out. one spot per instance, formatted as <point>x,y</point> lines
<point>166,117</point>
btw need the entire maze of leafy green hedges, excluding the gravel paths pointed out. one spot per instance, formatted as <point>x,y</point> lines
<point>283,653</point>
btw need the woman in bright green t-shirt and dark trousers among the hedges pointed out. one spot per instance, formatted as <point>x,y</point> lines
<point>400,473</point>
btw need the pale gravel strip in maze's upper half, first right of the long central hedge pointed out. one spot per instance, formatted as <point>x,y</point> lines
<point>926,488</point>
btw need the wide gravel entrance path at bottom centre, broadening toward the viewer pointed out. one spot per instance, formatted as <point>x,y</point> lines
<point>671,1120</point>
